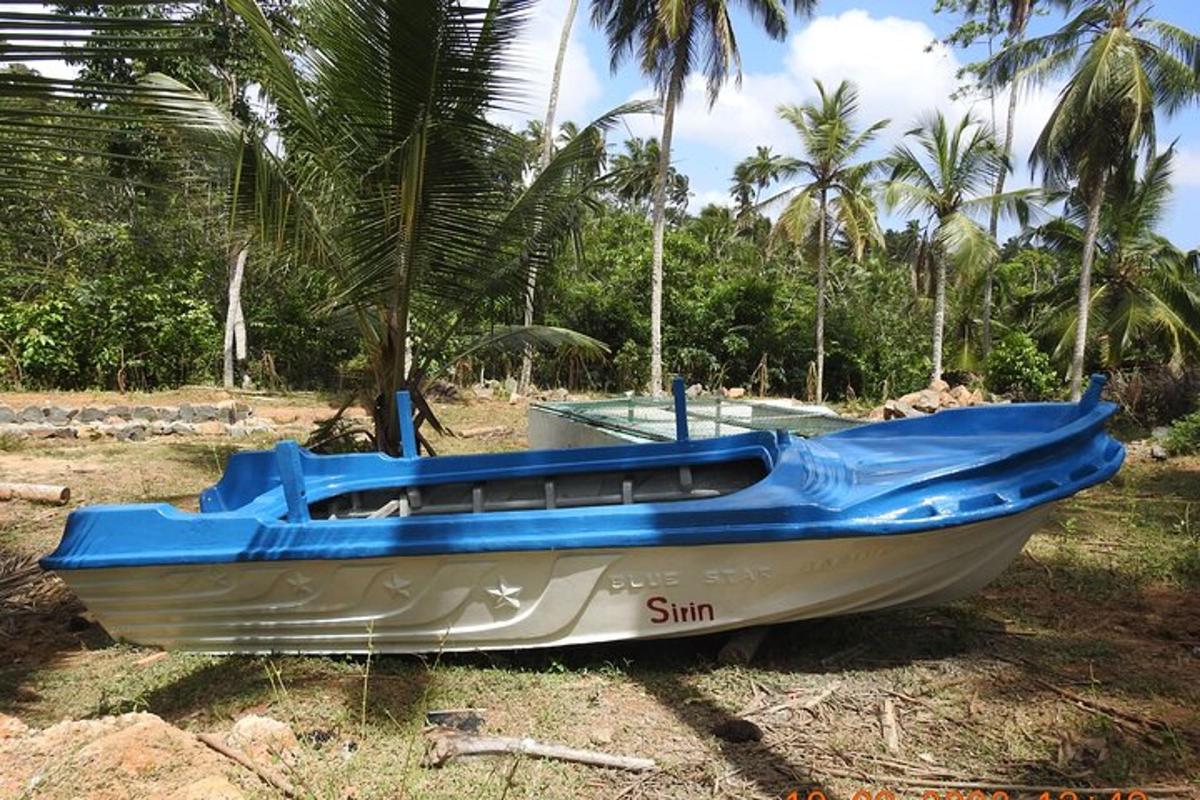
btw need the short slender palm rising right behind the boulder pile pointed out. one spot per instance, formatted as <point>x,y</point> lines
<point>949,182</point>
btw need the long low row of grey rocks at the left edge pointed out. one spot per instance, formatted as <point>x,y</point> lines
<point>131,423</point>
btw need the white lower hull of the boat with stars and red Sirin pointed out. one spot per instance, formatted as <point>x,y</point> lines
<point>542,598</point>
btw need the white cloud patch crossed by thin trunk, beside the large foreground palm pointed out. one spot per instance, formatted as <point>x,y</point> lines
<point>536,52</point>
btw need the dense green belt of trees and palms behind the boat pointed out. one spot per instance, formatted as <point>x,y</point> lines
<point>363,232</point>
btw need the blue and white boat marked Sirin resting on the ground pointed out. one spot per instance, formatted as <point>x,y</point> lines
<point>349,554</point>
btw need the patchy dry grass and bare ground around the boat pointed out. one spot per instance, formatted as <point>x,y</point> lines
<point>1106,604</point>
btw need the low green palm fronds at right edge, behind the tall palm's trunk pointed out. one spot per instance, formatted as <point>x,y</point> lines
<point>1144,291</point>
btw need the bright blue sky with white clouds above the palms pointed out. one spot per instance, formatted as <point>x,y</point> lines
<point>881,46</point>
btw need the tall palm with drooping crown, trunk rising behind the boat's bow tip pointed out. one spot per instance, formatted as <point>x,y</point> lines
<point>1124,67</point>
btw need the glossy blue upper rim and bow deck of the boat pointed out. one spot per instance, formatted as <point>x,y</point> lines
<point>1023,474</point>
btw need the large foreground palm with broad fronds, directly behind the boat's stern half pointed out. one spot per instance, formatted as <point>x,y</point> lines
<point>391,176</point>
